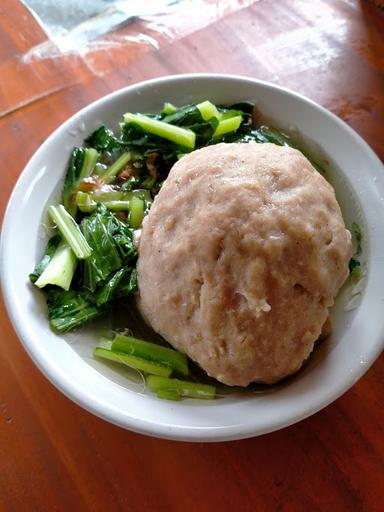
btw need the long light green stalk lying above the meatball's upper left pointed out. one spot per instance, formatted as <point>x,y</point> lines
<point>181,136</point>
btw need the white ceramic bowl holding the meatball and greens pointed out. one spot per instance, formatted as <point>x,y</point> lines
<point>357,340</point>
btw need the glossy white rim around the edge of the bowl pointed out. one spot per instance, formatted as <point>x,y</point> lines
<point>98,408</point>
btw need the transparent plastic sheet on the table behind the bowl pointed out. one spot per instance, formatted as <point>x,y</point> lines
<point>66,42</point>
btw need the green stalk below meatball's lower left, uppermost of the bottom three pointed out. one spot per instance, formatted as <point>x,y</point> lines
<point>167,356</point>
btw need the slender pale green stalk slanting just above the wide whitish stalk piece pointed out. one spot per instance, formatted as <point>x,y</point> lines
<point>70,231</point>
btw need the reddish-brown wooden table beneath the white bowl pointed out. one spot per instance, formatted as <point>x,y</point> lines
<point>54,456</point>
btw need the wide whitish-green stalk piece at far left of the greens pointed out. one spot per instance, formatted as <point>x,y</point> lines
<point>60,269</point>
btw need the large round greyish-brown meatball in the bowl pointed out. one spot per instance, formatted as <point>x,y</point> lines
<point>240,257</point>
